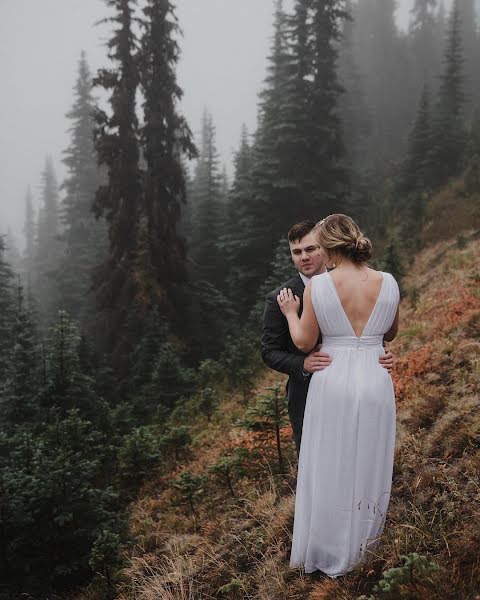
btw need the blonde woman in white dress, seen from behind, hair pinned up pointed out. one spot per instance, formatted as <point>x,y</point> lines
<point>346,458</point>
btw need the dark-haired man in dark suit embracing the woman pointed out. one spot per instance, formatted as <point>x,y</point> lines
<point>278,351</point>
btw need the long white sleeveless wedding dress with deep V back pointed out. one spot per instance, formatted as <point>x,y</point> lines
<point>346,456</point>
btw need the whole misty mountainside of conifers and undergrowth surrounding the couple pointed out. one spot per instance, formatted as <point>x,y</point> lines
<point>135,304</point>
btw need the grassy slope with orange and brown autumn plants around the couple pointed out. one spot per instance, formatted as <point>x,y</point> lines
<point>234,543</point>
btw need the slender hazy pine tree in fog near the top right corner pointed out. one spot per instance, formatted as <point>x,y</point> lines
<point>449,132</point>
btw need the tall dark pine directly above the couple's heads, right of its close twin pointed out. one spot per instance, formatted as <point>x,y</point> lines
<point>313,139</point>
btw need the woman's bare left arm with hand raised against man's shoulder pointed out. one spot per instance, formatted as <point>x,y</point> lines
<point>304,331</point>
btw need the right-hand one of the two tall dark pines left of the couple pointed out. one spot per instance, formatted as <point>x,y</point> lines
<point>166,141</point>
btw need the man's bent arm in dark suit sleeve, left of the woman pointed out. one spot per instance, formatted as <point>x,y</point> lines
<point>275,342</point>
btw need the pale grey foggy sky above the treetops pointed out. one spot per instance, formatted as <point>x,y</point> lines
<point>224,52</point>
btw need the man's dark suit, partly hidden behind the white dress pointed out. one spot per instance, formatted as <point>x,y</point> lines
<point>281,354</point>
